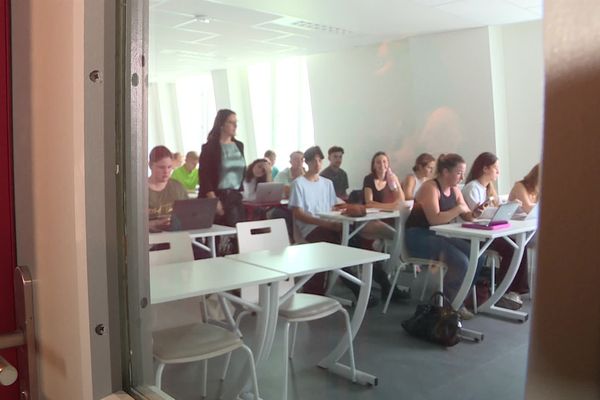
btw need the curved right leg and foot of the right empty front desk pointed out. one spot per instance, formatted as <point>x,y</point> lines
<point>331,362</point>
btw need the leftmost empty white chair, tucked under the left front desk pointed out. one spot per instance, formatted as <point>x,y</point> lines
<point>186,338</point>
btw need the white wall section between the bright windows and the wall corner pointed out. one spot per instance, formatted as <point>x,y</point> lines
<point>361,100</point>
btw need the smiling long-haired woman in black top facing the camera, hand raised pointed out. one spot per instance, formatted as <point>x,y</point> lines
<point>382,190</point>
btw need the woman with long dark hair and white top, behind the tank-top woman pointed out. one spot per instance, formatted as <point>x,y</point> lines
<point>479,191</point>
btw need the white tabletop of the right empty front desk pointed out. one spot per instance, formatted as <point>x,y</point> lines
<point>309,258</point>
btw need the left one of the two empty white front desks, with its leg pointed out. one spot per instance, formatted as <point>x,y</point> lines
<point>177,281</point>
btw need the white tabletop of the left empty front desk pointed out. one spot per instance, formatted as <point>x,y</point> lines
<point>176,281</point>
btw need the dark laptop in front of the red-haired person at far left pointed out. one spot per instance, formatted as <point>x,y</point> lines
<point>193,214</point>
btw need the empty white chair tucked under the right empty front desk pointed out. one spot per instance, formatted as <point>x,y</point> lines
<point>294,307</point>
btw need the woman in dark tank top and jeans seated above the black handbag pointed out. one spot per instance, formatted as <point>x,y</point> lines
<point>439,201</point>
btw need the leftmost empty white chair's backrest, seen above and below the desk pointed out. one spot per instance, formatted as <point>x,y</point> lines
<point>175,247</point>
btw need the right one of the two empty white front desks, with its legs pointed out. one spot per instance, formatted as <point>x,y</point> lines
<point>311,258</point>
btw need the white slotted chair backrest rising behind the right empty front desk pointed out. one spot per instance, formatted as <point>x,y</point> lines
<point>268,234</point>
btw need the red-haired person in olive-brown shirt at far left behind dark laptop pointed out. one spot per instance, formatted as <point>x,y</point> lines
<point>162,191</point>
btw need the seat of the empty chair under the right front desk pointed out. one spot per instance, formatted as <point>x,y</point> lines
<point>304,305</point>
